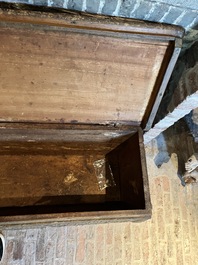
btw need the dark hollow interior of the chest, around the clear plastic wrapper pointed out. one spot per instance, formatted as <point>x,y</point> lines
<point>50,168</point>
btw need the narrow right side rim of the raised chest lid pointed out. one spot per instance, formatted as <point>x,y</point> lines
<point>171,56</point>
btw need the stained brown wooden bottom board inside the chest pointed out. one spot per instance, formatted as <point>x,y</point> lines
<point>45,179</point>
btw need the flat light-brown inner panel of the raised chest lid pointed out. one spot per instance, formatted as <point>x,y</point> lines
<point>65,76</point>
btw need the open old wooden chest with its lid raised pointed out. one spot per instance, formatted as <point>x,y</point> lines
<point>76,91</point>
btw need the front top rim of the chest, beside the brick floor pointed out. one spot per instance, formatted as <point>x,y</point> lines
<point>85,217</point>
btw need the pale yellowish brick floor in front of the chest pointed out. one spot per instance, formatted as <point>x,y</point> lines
<point>170,237</point>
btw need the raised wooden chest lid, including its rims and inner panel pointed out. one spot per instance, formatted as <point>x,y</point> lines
<point>69,67</point>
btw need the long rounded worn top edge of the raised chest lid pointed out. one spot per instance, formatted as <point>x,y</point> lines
<point>10,12</point>
